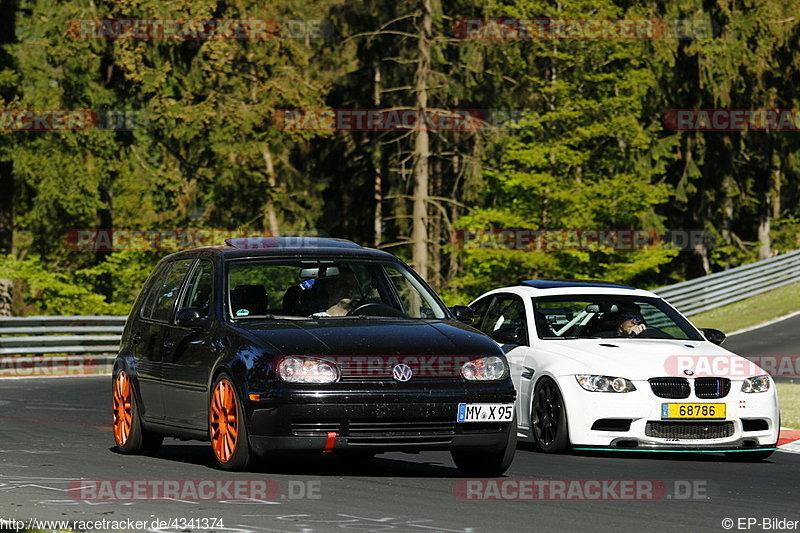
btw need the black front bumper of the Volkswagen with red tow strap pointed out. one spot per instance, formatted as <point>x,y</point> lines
<point>396,419</point>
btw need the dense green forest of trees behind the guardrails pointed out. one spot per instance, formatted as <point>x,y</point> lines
<point>581,141</point>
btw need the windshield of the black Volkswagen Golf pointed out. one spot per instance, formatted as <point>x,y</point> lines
<point>321,289</point>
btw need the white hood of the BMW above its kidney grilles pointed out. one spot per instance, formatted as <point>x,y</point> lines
<point>634,359</point>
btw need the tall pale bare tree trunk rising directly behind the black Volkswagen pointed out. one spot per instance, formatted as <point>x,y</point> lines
<point>419,215</point>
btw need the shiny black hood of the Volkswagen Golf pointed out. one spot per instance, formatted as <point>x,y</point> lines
<point>371,337</point>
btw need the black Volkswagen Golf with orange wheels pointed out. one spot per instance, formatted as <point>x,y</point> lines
<point>307,345</point>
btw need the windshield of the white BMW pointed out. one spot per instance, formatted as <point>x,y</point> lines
<point>601,316</point>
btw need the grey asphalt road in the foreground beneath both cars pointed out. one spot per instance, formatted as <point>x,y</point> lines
<point>56,436</point>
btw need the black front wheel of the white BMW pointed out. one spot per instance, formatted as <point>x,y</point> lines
<point>549,425</point>
